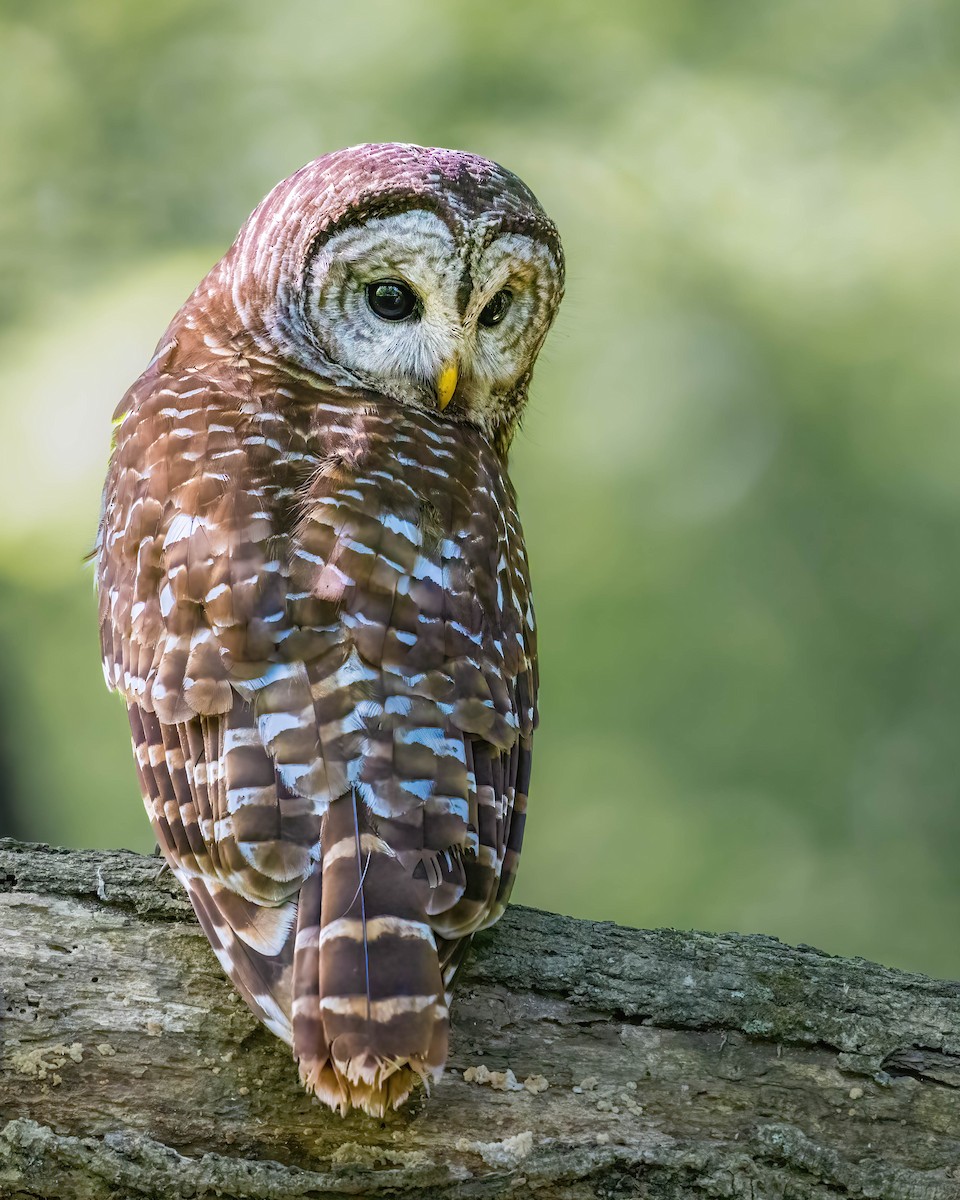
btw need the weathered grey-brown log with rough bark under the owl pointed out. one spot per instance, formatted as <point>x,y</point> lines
<point>657,1065</point>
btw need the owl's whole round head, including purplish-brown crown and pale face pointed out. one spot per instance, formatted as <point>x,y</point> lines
<point>428,277</point>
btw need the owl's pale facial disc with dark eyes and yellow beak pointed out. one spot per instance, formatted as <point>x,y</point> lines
<point>431,320</point>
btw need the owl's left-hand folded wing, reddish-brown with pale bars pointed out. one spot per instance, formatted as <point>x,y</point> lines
<point>193,604</point>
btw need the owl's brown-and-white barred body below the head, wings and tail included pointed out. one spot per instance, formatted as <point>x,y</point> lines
<point>320,617</point>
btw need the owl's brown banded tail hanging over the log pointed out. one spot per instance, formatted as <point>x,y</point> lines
<point>370,1018</point>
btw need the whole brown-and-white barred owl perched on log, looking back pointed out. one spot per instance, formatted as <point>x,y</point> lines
<point>315,597</point>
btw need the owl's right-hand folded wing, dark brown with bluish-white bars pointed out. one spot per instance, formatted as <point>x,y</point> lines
<point>429,709</point>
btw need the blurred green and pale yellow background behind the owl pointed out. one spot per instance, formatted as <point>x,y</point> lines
<point>740,473</point>
